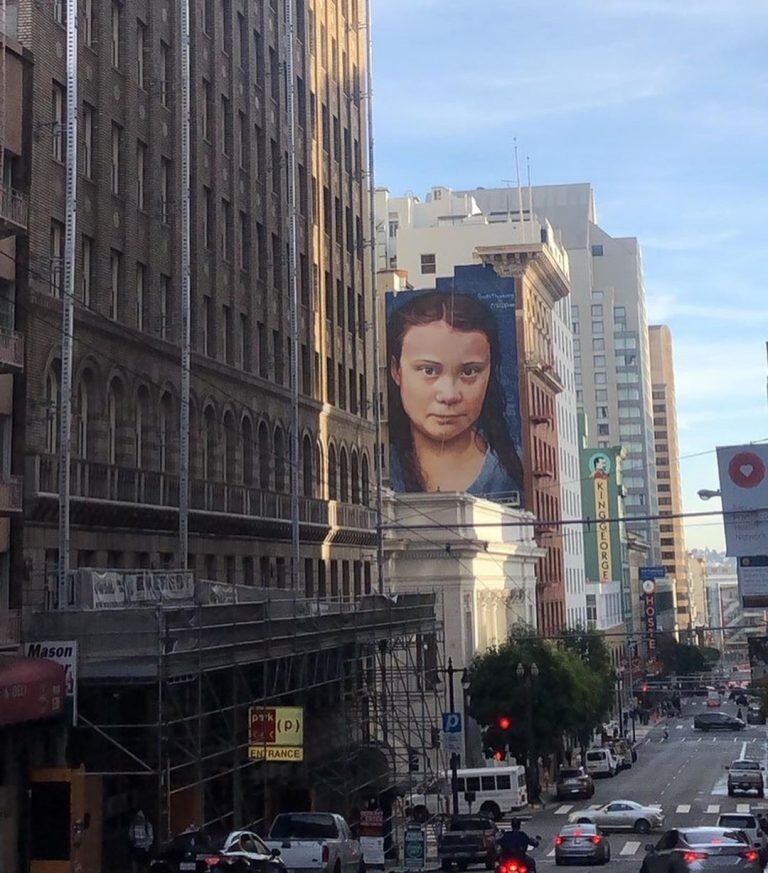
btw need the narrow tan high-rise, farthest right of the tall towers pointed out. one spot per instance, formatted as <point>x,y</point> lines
<point>669,489</point>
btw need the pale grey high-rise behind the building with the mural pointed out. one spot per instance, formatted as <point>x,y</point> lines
<point>613,385</point>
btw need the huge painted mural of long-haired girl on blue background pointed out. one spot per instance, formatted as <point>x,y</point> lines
<point>453,387</point>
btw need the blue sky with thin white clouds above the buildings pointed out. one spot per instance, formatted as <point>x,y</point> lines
<point>663,106</point>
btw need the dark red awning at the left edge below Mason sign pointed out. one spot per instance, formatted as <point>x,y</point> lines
<point>30,689</point>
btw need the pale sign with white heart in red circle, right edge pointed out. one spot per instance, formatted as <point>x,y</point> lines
<point>744,494</point>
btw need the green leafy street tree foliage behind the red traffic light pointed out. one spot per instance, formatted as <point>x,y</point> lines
<point>570,696</point>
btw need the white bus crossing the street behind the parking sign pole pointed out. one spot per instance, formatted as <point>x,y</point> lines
<point>491,791</point>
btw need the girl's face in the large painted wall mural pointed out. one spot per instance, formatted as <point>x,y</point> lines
<point>443,376</point>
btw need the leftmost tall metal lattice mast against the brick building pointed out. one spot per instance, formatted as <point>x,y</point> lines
<point>68,301</point>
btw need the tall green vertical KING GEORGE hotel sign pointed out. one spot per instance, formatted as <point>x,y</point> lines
<point>600,501</point>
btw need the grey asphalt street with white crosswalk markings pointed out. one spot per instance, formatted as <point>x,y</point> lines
<point>685,774</point>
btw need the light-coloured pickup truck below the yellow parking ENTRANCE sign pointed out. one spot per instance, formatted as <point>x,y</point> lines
<point>315,841</point>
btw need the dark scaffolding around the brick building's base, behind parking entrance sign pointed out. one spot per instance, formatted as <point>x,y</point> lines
<point>165,693</point>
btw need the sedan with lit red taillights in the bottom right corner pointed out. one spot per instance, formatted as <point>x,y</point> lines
<point>701,849</point>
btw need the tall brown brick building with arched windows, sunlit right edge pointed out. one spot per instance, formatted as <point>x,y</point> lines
<point>127,318</point>
